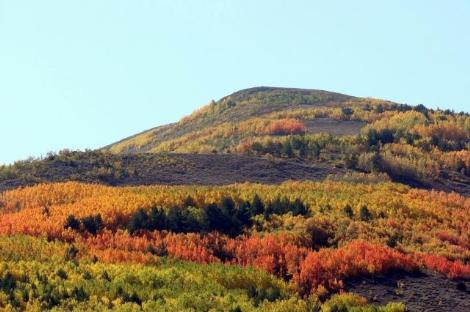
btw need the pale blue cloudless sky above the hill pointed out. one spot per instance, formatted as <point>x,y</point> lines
<point>84,74</point>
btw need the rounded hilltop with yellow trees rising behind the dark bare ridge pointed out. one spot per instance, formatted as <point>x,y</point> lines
<point>412,144</point>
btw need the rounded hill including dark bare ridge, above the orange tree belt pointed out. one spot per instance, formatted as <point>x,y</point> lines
<point>300,129</point>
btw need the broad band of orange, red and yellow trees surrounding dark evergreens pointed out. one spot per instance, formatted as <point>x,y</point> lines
<point>43,209</point>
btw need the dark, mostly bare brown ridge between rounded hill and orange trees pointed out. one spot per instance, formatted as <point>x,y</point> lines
<point>148,169</point>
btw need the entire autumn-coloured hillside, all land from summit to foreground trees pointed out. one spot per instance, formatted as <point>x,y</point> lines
<point>270,199</point>
